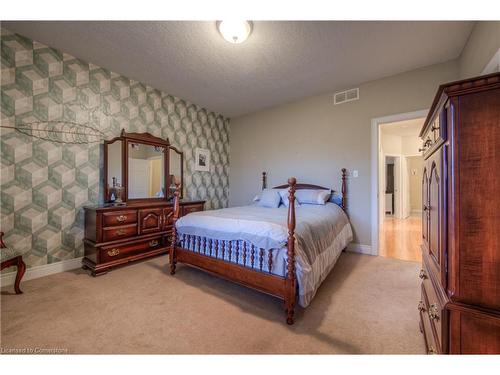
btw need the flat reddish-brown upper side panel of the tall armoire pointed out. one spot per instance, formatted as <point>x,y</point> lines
<point>478,182</point>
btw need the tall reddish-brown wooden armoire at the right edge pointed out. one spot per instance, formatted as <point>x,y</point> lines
<point>460,297</point>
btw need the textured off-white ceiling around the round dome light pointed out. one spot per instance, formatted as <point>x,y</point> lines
<point>281,61</point>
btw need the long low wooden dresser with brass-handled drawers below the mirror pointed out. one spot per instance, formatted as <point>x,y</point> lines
<point>116,235</point>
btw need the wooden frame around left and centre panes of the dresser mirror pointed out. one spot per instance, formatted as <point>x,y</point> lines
<point>143,138</point>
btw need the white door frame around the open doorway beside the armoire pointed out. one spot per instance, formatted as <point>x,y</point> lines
<point>375,142</point>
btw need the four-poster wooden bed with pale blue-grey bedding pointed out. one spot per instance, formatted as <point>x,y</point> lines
<point>267,249</point>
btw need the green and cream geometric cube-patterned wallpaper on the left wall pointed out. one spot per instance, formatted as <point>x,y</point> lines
<point>44,185</point>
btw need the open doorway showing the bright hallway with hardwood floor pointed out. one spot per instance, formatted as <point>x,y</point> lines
<point>400,195</point>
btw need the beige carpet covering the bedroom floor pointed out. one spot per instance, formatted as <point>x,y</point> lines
<point>366,305</point>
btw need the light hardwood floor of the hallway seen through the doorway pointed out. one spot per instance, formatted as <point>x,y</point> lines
<point>401,238</point>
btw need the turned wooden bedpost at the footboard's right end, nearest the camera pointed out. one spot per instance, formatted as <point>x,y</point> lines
<point>290,282</point>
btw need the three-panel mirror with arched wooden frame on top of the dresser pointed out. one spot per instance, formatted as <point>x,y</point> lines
<point>137,168</point>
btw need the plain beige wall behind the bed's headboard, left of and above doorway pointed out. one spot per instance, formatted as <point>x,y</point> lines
<point>312,139</point>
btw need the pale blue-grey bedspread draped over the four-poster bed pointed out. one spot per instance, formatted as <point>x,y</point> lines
<point>321,234</point>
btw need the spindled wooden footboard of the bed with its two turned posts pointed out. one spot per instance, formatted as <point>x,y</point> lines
<point>223,258</point>
